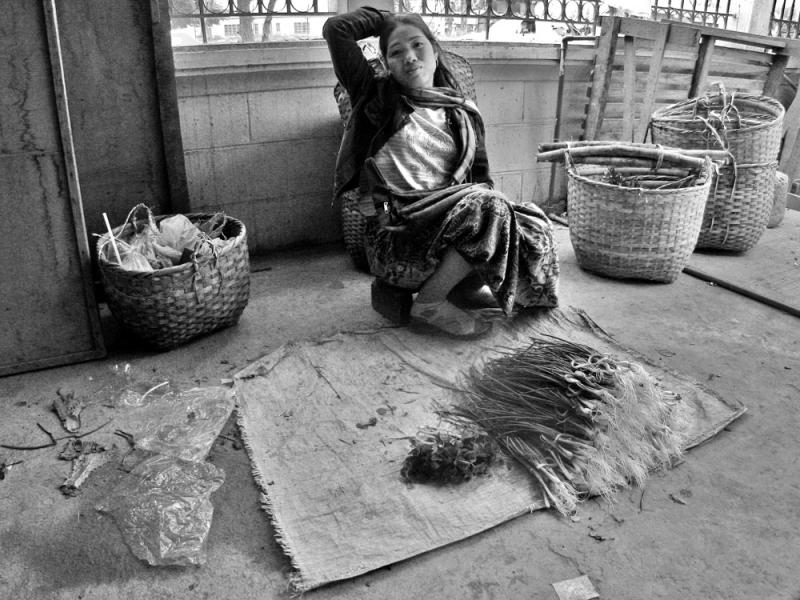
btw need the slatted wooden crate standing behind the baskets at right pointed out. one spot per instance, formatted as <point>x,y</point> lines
<point>641,65</point>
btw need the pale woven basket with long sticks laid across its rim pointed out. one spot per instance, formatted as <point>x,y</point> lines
<point>634,232</point>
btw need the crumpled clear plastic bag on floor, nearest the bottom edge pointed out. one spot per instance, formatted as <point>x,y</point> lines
<point>164,511</point>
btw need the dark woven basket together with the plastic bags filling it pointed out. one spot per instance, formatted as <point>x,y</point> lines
<point>169,279</point>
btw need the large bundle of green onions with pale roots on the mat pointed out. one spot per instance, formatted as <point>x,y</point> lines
<point>582,422</point>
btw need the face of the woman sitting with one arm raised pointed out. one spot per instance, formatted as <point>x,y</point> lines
<point>411,57</point>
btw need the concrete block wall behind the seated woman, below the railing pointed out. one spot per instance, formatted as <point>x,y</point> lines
<point>261,130</point>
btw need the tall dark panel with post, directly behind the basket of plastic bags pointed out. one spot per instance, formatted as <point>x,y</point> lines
<point>116,108</point>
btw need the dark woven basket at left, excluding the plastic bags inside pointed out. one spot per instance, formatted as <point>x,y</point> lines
<point>168,307</point>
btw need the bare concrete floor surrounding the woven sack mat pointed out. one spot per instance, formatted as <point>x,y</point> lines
<point>734,536</point>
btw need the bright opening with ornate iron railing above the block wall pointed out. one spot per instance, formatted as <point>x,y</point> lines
<point>540,21</point>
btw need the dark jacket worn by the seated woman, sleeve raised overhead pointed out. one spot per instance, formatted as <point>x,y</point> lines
<point>379,109</point>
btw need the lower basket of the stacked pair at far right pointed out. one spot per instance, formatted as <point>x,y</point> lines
<point>738,207</point>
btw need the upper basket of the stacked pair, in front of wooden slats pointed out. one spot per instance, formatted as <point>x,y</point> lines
<point>750,127</point>
